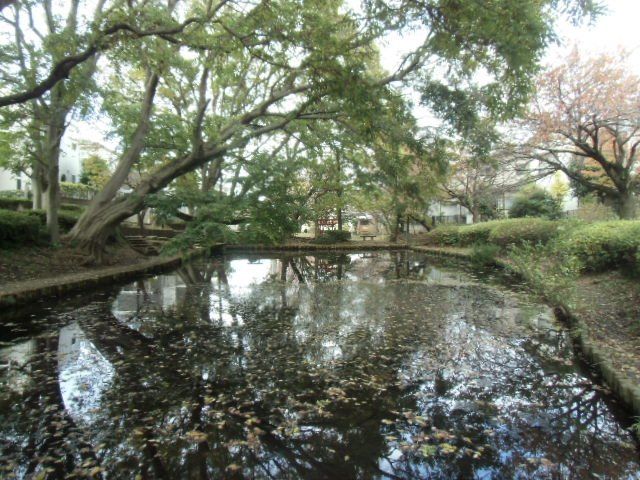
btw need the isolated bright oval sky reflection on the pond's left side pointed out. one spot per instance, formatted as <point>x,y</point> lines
<point>84,373</point>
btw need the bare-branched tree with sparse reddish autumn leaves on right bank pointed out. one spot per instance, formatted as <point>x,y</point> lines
<point>585,122</point>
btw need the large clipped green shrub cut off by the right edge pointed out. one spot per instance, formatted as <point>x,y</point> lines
<point>605,245</point>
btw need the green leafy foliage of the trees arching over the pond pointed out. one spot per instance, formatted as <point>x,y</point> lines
<point>320,55</point>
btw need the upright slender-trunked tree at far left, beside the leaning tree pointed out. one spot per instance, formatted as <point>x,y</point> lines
<point>40,36</point>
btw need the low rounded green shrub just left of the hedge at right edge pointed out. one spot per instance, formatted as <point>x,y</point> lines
<point>523,230</point>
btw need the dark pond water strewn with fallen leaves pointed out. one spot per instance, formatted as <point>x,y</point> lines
<point>379,365</point>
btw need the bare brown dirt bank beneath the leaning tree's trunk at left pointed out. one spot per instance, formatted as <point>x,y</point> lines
<point>36,263</point>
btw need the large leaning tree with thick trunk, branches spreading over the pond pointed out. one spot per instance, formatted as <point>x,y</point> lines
<point>283,62</point>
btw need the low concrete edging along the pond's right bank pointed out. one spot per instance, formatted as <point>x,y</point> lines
<point>624,389</point>
